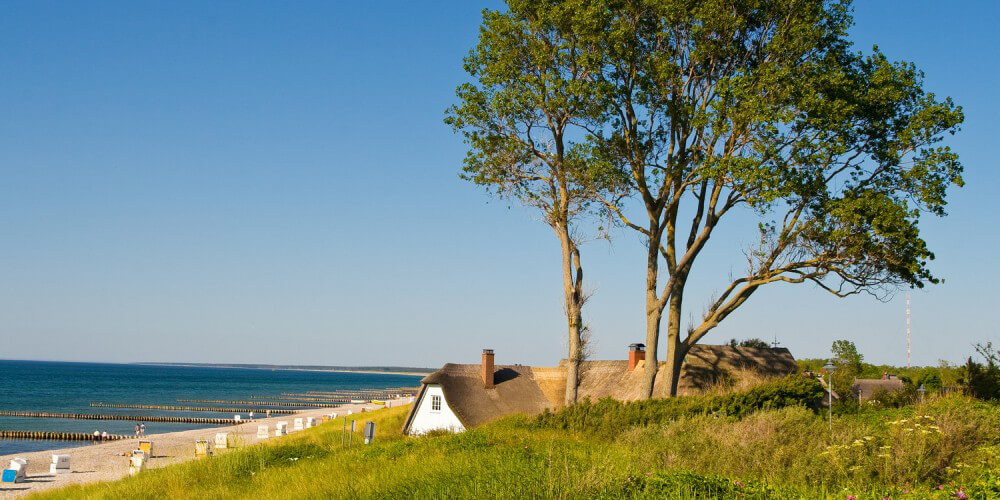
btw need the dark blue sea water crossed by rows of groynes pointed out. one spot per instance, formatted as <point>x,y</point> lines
<point>71,387</point>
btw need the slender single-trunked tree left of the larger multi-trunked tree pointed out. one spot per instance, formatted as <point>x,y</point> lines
<point>532,89</point>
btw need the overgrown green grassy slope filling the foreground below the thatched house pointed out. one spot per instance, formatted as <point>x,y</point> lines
<point>768,441</point>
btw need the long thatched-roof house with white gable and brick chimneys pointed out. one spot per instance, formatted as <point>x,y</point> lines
<point>459,396</point>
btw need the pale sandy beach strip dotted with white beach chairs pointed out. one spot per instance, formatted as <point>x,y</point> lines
<point>104,462</point>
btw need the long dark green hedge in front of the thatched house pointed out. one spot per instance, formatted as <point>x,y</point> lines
<point>609,416</point>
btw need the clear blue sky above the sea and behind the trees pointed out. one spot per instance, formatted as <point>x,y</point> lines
<point>255,182</point>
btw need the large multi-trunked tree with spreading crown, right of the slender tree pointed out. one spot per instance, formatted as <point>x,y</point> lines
<point>763,107</point>
